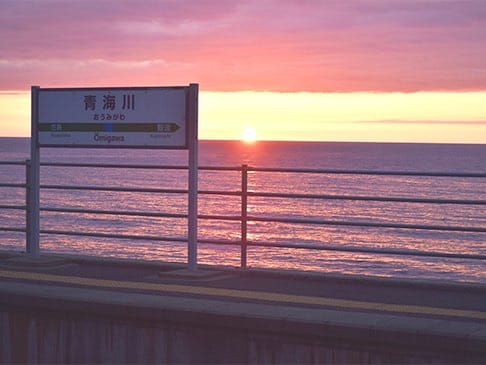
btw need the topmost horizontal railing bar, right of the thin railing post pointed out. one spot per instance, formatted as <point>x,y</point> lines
<point>367,172</point>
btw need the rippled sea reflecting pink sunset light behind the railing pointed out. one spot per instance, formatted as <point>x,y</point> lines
<point>316,155</point>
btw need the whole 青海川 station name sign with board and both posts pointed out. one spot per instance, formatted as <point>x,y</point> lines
<point>131,117</point>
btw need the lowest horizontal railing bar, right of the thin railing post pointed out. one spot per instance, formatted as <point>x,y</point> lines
<point>355,249</point>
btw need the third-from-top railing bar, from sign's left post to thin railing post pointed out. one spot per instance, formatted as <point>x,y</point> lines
<point>135,213</point>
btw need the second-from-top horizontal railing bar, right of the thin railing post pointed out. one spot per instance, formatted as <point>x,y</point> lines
<point>368,198</point>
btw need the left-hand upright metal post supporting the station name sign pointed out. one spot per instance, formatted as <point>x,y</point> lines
<point>34,201</point>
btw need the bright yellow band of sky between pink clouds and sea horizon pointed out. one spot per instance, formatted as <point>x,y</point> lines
<point>452,117</point>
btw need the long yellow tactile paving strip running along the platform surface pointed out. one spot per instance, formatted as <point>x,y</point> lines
<point>244,294</point>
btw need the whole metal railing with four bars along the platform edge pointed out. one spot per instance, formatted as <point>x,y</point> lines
<point>244,217</point>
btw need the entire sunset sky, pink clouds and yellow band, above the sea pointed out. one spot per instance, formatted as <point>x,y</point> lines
<point>357,70</point>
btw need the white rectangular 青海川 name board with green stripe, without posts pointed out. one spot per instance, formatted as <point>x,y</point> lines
<point>152,117</point>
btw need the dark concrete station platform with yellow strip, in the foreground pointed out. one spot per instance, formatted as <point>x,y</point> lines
<point>385,319</point>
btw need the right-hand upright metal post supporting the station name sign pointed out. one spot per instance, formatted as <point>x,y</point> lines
<point>193,175</point>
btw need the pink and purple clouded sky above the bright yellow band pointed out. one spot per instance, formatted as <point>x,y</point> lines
<point>321,46</point>
